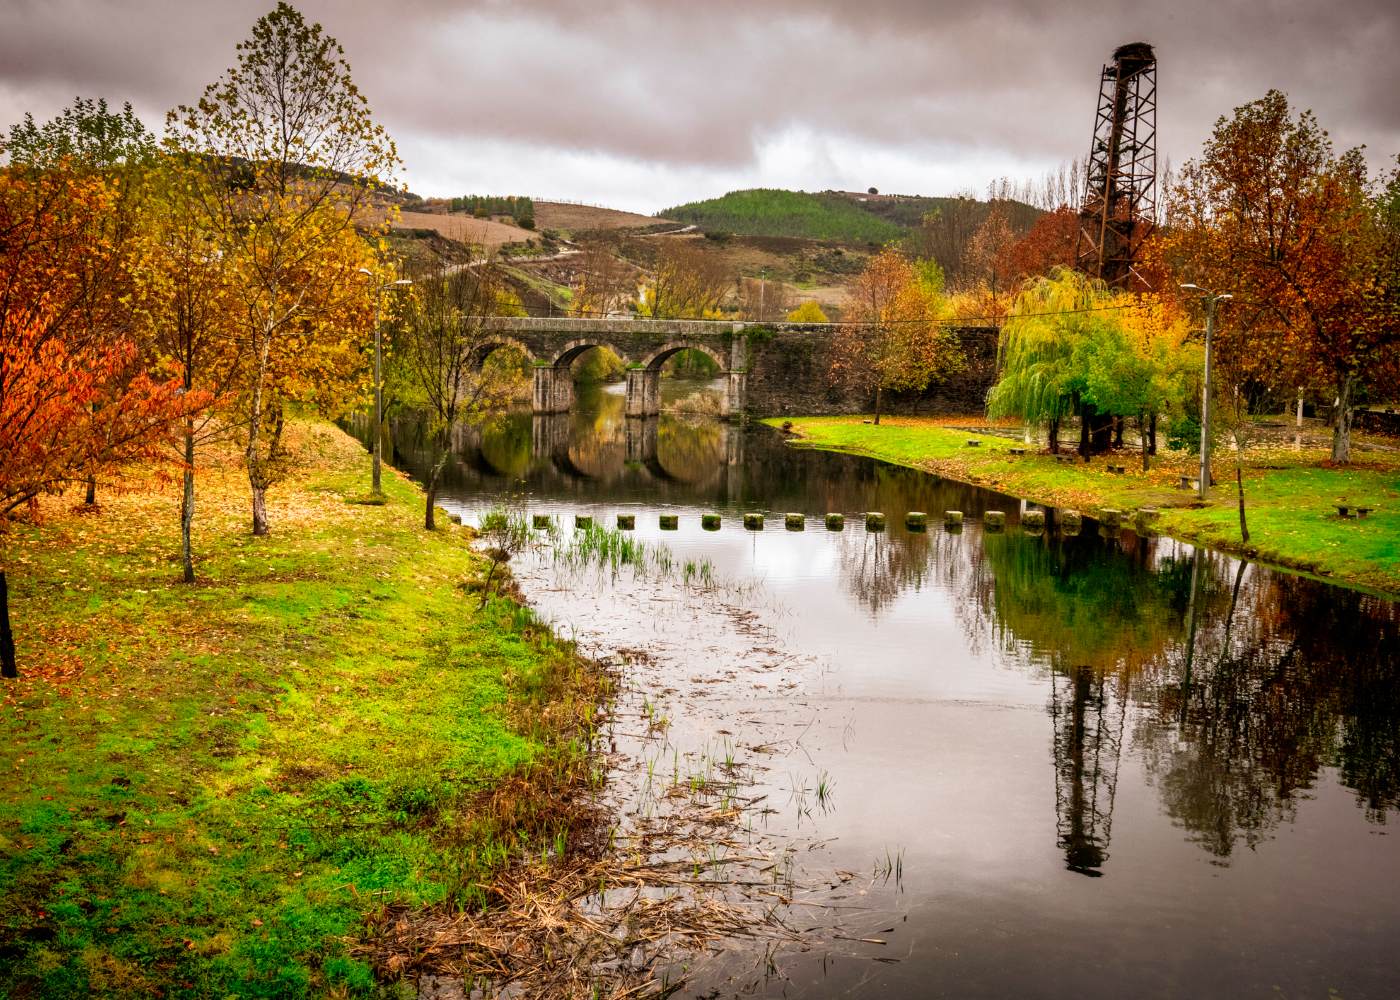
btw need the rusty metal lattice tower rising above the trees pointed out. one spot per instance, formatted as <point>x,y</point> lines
<point>1121,181</point>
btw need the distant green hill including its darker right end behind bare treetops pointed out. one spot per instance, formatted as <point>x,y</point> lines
<point>835,216</point>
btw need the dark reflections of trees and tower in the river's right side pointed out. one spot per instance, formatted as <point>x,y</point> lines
<point>1237,687</point>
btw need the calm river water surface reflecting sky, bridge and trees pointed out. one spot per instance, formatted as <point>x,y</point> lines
<point>1102,765</point>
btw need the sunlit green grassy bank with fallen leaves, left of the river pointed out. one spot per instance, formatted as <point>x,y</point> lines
<point>206,789</point>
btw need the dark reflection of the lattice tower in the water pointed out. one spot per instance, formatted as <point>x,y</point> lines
<point>1088,744</point>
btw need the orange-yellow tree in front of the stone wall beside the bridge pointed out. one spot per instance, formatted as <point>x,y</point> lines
<point>898,341</point>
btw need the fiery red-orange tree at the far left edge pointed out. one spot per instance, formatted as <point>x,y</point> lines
<point>75,398</point>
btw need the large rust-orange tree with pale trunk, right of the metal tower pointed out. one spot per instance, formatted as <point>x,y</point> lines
<point>1273,215</point>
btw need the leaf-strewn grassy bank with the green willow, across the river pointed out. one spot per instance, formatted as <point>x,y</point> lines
<point>1291,496</point>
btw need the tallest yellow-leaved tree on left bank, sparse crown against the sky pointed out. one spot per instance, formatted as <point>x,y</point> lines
<point>295,159</point>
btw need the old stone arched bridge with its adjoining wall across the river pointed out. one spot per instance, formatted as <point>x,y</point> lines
<point>768,369</point>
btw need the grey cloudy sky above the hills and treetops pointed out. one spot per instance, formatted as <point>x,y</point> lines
<point>645,106</point>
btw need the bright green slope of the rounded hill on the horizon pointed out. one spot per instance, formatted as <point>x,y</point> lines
<point>765,212</point>
